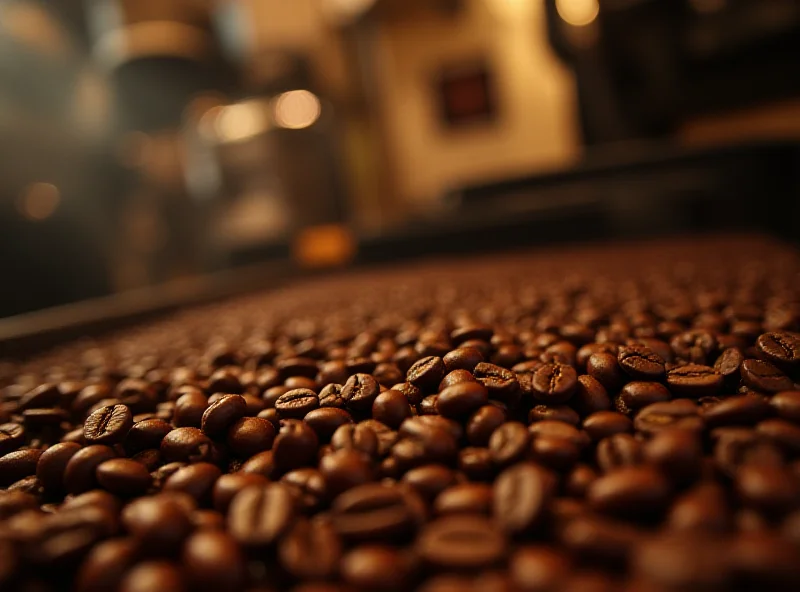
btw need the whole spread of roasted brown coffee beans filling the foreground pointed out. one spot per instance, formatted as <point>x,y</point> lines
<point>596,419</point>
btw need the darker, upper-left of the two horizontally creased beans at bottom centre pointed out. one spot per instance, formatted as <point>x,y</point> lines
<point>374,512</point>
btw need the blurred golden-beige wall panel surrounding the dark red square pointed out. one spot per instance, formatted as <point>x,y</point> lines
<point>536,128</point>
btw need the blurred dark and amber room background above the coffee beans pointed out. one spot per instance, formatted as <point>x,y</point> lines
<point>149,142</point>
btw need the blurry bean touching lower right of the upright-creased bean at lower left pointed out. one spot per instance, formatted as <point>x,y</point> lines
<point>311,550</point>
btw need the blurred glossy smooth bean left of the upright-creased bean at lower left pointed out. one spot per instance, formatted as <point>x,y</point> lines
<point>159,523</point>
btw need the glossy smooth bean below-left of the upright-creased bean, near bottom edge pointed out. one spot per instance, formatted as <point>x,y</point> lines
<point>212,560</point>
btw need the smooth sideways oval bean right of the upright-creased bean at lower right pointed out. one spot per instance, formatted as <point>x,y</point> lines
<point>637,492</point>
